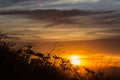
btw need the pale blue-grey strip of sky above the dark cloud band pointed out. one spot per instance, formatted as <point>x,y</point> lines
<point>59,4</point>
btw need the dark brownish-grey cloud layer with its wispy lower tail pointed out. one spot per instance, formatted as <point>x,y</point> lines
<point>57,17</point>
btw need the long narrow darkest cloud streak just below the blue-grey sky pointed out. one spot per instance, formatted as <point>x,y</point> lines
<point>53,11</point>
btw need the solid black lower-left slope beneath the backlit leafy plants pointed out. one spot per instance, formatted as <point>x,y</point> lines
<point>14,67</point>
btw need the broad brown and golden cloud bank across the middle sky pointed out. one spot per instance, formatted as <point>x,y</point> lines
<point>57,25</point>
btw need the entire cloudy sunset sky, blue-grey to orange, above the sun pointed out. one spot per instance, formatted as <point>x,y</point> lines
<point>84,27</point>
